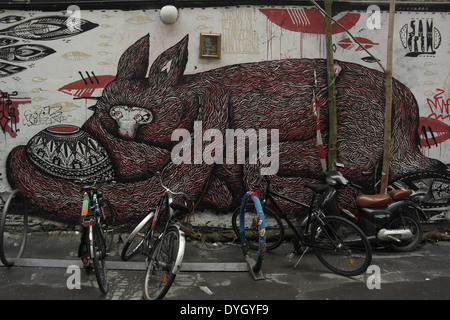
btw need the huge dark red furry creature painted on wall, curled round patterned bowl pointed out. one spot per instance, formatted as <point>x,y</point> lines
<point>129,135</point>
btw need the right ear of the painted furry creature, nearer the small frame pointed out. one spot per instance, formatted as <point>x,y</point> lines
<point>168,68</point>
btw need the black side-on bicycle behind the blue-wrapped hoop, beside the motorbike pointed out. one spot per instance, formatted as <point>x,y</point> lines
<point>337,242</point>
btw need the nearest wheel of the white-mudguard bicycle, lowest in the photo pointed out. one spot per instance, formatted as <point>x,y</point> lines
<point>161,264</point>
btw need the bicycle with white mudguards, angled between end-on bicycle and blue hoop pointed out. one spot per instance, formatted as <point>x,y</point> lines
<point>161,237</point>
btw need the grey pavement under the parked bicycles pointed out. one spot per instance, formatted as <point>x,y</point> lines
<point>218,271</point>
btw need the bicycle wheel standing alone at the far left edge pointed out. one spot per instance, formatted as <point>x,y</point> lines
<point>10,205</point>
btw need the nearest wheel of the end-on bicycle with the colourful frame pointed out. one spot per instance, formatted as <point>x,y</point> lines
<point>97,249</point>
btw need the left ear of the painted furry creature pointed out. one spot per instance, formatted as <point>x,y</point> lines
<point>133,63</point>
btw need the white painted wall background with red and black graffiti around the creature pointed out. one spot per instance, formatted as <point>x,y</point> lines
<point>54,65</point>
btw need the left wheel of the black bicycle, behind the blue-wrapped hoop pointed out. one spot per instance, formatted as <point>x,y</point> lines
<point>274,227</point>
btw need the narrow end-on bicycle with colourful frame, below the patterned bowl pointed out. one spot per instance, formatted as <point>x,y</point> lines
<point>97,233</point>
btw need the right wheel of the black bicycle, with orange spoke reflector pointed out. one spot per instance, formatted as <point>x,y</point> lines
<point>341,246</point>
